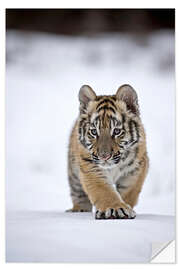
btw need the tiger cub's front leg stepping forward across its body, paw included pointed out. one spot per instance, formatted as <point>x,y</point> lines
<point>108,202</point>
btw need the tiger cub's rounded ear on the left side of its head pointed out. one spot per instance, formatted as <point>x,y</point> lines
<point>86,94</point>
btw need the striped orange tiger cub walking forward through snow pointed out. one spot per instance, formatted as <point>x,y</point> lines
<point>107,159</point>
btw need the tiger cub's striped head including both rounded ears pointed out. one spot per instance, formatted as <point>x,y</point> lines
<point>109,126</point>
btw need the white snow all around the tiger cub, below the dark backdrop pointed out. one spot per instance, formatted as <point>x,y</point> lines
<point>43,77</point>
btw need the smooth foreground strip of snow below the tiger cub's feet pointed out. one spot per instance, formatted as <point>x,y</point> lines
<point>76,237</point>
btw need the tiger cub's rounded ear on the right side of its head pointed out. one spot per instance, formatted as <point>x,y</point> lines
<point>127,94</point>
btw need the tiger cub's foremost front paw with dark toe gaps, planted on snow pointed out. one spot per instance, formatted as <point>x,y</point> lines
<point>120,213</point>
